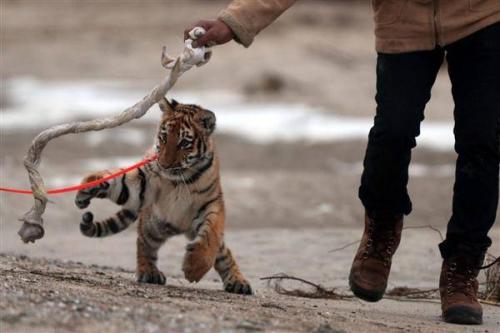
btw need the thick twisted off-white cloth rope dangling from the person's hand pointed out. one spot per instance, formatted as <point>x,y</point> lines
<point>32,228</point>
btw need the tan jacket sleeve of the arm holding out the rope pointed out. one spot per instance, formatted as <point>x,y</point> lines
<point>248,17</point>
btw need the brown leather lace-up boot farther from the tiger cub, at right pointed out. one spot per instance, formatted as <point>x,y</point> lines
<point>458,289</point>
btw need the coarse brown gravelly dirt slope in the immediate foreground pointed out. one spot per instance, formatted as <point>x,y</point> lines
<point>66,296</point>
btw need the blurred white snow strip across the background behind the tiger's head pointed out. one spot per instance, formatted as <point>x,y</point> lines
<point>34,103</point>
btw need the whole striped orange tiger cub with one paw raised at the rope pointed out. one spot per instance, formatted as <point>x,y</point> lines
<point>178,193</point>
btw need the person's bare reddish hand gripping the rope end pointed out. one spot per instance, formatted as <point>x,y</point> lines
<point>217,32</point>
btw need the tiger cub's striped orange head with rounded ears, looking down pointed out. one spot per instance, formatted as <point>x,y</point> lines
<point>184,144</point>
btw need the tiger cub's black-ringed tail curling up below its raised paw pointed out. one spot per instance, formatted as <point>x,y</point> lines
<point>108,227</point>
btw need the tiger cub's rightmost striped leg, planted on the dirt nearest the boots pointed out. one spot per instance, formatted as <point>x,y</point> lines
<point>233,279</point>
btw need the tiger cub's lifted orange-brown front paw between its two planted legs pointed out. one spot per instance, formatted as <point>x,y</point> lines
<point>198,260</point>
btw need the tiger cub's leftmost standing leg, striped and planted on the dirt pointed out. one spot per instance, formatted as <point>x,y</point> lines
<point>149,241</point>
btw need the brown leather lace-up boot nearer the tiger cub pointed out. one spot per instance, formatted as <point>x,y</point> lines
<point>372,263</point>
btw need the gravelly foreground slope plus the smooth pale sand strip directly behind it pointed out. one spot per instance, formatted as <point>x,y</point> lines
<point>72,296</point>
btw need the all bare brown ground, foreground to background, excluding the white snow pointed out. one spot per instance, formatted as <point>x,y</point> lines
<point>288,205</point>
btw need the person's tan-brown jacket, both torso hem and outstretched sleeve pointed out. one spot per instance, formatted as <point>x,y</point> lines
<point>400,25</point>
